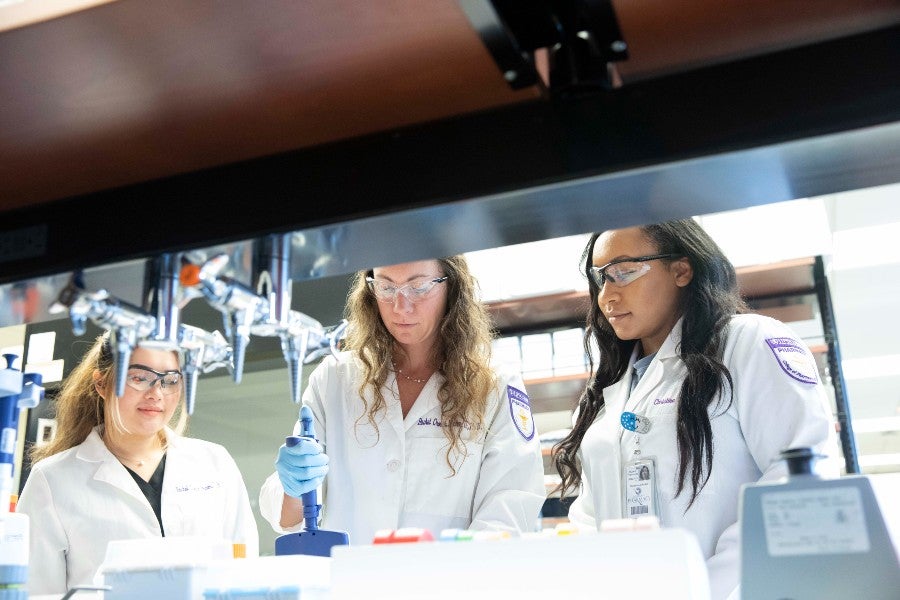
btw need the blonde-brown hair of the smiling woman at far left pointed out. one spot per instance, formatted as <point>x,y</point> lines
<point>80,407</point>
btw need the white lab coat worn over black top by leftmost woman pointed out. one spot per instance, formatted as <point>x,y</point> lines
<point>81,499</point>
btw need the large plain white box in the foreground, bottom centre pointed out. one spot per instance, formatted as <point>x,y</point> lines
<point>634,565</point>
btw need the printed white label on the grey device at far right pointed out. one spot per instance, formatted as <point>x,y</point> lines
<point>819,521</point>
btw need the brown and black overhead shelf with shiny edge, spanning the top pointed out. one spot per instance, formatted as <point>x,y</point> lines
<point>377,136</point>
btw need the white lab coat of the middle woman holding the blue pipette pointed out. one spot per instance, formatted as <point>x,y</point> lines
<point>398,476</point>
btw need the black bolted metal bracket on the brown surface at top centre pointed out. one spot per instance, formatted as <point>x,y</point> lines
<point>582,37</point>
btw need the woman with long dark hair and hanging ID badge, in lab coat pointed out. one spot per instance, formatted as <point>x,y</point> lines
<point>691,398</point>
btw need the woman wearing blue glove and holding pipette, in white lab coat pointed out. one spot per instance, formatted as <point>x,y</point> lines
<point>419,430</point>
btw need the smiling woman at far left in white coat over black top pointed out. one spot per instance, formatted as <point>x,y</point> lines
<point>117,470</point>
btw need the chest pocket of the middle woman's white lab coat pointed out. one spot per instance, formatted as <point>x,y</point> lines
<point>432,488</point>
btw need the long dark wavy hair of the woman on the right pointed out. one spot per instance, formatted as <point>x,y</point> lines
<point>707,304</point>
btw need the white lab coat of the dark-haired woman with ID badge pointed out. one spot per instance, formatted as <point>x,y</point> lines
<point>772,410</point>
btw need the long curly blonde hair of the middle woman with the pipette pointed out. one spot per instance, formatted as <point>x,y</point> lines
<point>462,354</point>
